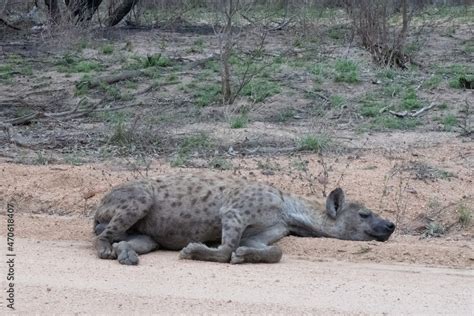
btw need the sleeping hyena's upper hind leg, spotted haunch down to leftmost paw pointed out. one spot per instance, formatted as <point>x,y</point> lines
<point>121,208</point>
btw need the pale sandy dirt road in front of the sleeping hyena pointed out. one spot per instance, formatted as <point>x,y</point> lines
<point>65,276</point>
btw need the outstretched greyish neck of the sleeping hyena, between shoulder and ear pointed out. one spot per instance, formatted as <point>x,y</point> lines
<point>305,220</point>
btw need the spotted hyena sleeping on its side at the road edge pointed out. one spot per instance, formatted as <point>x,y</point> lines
<point>242,219</point>
